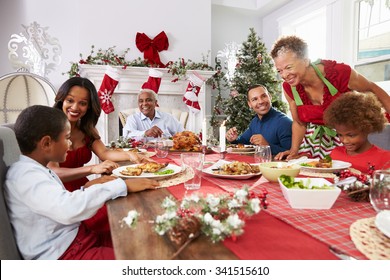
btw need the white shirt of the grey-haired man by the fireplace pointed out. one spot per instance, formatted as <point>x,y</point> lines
<point>138,123</point>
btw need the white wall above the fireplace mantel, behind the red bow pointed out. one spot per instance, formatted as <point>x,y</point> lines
<point>80,24</point>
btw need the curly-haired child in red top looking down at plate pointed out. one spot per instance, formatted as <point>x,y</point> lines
<point>355,115</point>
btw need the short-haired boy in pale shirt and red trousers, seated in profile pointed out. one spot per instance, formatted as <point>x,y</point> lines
<point>47,219</point>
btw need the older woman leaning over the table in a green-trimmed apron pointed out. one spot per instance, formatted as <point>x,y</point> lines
<point>310,87</point>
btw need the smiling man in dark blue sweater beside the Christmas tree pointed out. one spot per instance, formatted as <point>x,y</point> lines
<point>268,127</point>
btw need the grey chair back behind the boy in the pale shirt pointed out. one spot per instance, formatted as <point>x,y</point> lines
<point>9,153</point>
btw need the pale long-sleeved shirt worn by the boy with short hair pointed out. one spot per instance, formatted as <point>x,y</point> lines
<point>44,215</point>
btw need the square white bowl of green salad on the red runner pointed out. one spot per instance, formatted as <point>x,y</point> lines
<point>308,193</point>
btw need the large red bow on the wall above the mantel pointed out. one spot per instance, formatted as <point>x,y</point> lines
<point>151,48</point>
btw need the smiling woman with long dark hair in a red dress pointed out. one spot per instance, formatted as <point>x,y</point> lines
<point>78,99</point>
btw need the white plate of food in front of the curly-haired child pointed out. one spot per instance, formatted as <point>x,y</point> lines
<point>325,165</point>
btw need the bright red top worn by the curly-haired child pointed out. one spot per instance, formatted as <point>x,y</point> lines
<point>375,156</point>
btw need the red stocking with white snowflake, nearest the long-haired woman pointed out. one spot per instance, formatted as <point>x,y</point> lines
<point>109,83</point>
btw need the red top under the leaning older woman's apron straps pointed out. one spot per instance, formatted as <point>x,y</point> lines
<point>338,75</point>
